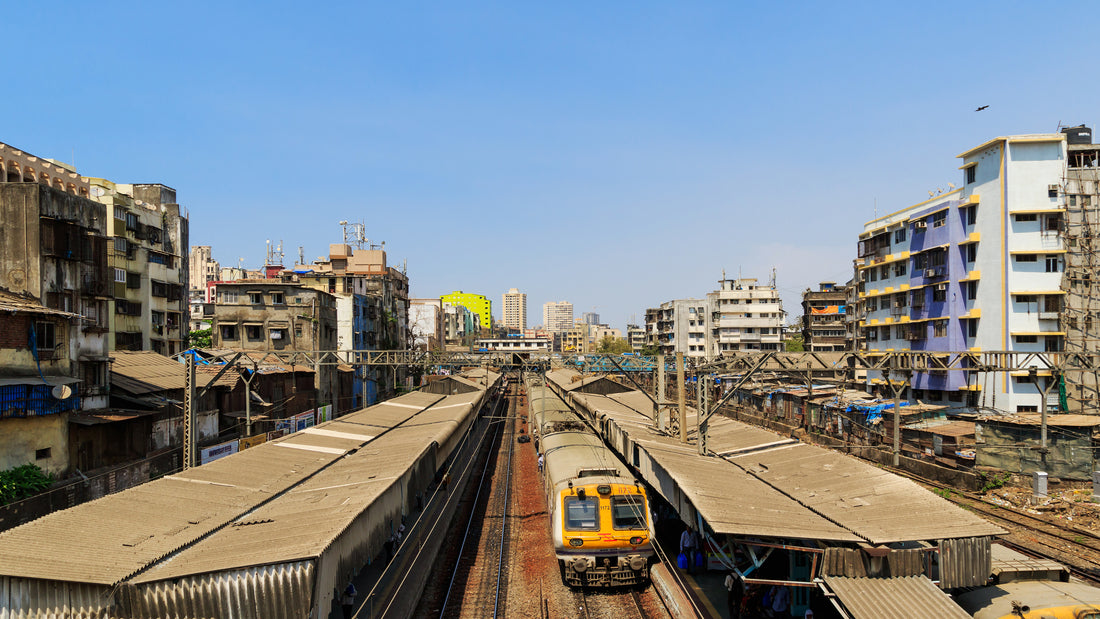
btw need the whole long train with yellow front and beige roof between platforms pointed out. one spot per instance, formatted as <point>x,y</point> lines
<point>600,516</point>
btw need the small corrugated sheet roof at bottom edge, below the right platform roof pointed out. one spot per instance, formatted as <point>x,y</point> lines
<point>910,598</point>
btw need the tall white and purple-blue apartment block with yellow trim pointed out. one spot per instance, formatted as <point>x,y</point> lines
<point>984,268</point>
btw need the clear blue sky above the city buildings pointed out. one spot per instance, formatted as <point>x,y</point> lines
<point>612,154</point>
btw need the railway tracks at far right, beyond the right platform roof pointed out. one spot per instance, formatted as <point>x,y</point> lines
<point>1077,549</point>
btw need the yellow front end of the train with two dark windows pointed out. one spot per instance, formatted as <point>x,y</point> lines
<point>604,534</point>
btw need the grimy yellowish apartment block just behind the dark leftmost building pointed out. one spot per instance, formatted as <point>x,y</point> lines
<point>150,309</point>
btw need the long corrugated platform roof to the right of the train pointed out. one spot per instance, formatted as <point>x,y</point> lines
<point>824,494</point>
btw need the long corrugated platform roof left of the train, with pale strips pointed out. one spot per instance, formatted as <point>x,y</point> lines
<point>113,539</point>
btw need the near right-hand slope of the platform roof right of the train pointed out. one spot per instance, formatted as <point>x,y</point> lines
<point>875,504</point>
